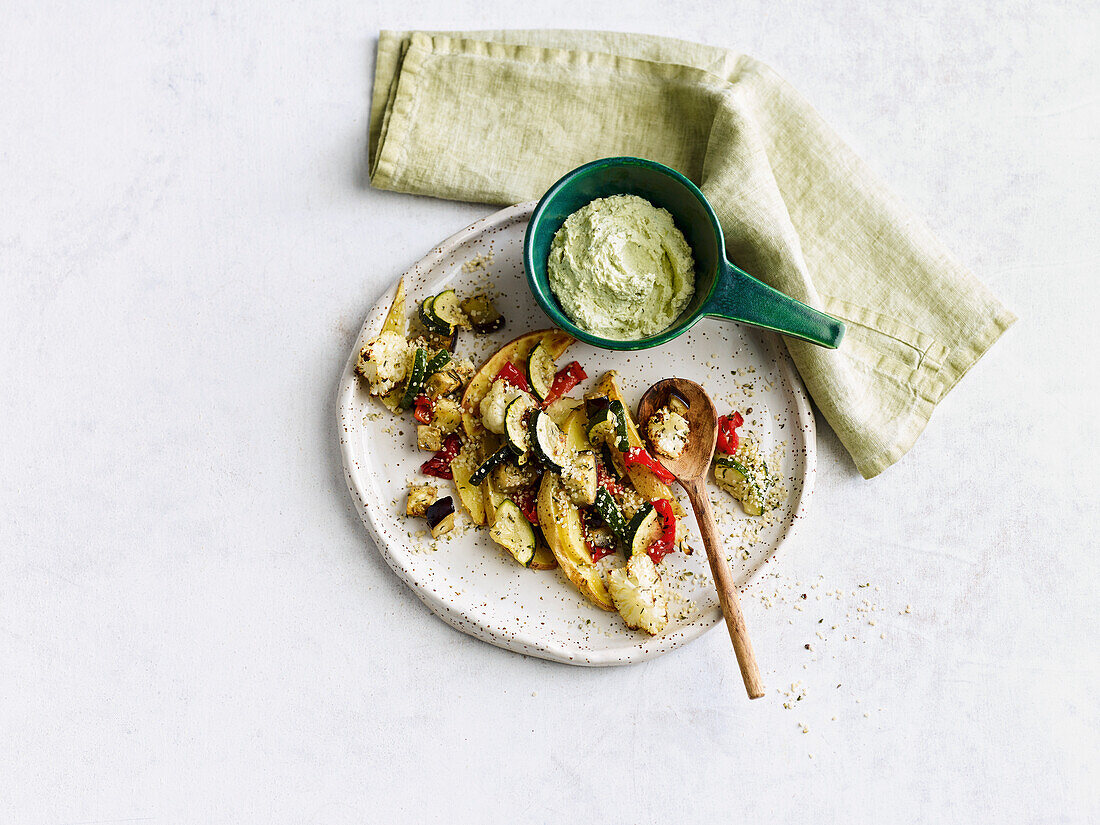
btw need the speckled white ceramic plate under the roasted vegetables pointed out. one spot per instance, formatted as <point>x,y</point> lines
<point>474,585</point>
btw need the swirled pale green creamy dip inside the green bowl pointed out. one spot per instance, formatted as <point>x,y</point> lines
<point>621,269</point>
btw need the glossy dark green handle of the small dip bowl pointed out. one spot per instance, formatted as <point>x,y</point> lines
<point>741,298</point>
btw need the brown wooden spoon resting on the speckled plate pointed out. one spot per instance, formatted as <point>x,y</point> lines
<point>691,469</point>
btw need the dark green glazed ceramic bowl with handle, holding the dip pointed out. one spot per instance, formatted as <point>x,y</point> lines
<point>722,290</point>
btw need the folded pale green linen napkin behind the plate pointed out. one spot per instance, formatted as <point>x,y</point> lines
<point>498,117</point>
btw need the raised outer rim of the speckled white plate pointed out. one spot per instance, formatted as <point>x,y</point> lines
<point>470,621</point>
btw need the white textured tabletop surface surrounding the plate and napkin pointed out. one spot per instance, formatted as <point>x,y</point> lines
<point>194,625</point>
